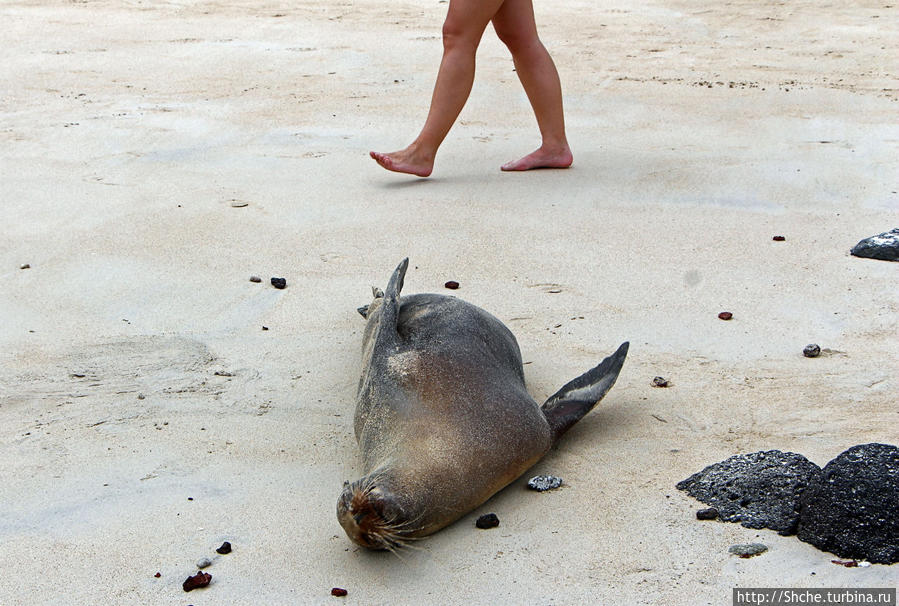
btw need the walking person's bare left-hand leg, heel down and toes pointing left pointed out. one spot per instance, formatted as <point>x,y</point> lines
<point>465,23</point>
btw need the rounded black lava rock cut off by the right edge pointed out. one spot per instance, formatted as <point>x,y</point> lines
<point>850,509</point>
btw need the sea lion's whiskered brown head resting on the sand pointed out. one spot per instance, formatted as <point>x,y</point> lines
<point>371,516</point>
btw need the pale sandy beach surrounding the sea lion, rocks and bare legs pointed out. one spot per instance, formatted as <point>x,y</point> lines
<point>154,402</point>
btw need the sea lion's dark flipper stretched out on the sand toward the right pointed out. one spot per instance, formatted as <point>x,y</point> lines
<point>576,398</point>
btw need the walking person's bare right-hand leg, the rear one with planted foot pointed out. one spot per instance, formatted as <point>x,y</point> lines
<point>514,24</point>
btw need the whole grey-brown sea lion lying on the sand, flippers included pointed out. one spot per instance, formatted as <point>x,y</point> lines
<point>443,418</point>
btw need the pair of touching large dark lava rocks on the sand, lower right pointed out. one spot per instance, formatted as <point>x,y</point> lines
<point>850,508</point>
